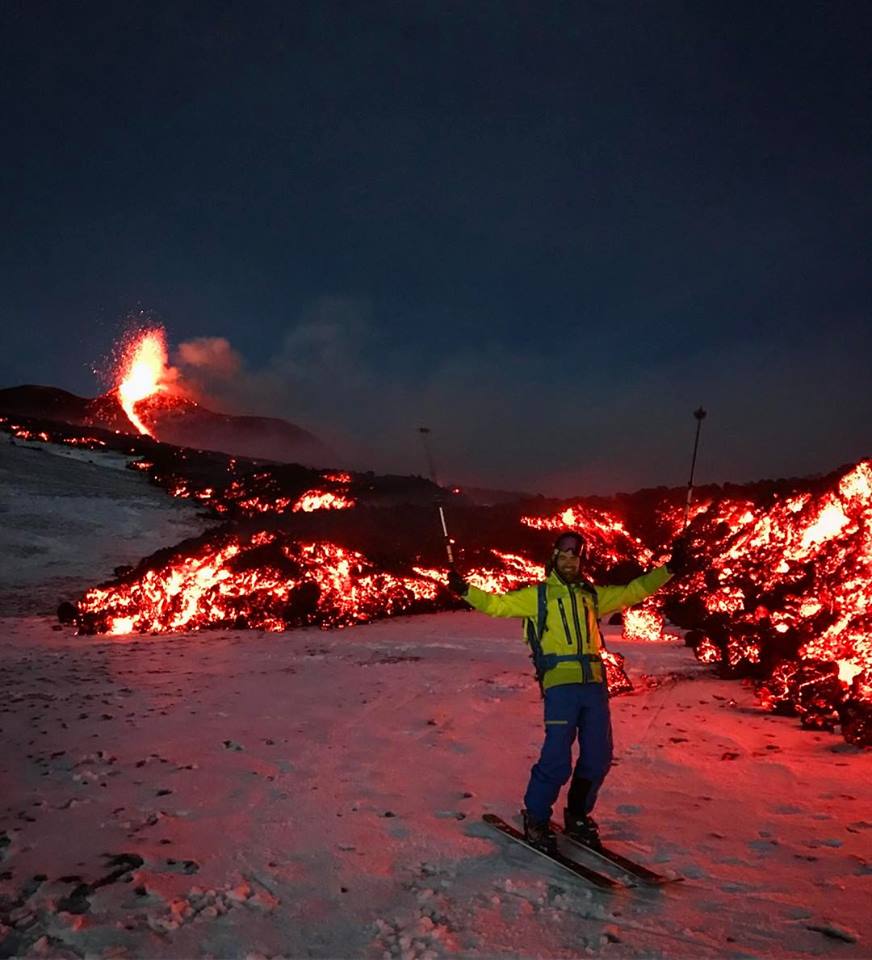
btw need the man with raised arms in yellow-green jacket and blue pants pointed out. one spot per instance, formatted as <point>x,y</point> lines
<point>561,617</point>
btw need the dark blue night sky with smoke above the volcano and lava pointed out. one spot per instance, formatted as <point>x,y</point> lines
<point>549,231</point>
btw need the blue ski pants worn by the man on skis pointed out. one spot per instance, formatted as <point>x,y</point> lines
<point>571,710</point>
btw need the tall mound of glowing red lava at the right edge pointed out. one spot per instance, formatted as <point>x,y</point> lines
<point>782,591</point>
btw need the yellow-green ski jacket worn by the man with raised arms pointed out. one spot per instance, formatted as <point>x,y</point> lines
<point>571,626</point>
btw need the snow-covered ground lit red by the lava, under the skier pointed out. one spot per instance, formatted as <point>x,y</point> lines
<point>234,794</point>
